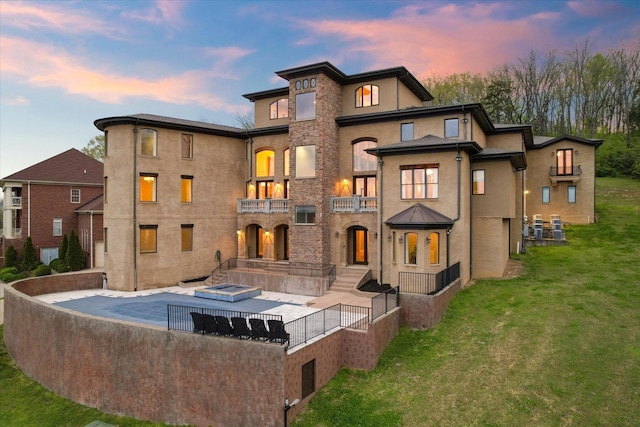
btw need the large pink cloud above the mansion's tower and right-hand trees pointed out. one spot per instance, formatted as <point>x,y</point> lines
<point>429,40</point>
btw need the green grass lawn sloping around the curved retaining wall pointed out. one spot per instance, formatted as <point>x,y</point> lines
<point>558,346</point>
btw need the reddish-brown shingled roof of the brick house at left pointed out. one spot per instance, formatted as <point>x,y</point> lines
<point>70,167</point>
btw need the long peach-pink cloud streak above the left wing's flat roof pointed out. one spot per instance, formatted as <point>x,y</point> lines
<point>41,65</point>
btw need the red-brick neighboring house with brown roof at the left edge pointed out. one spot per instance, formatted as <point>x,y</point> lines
<point>49,199</point>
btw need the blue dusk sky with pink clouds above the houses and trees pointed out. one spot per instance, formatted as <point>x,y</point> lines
<point>65,64</point>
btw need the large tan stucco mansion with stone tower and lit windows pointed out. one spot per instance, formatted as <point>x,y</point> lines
<point>351,171</point>
